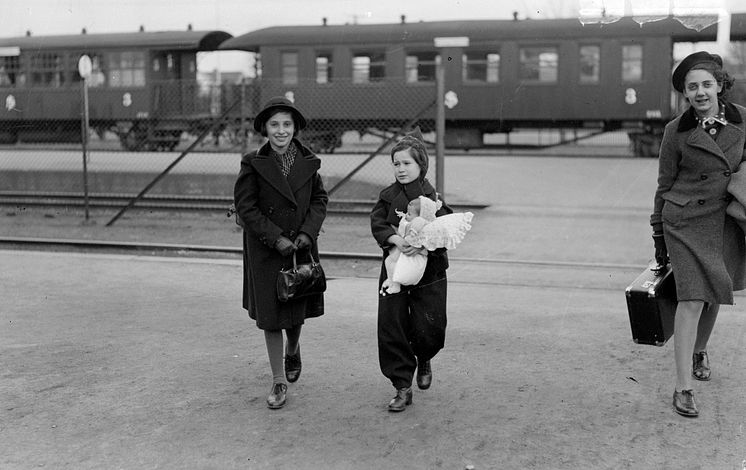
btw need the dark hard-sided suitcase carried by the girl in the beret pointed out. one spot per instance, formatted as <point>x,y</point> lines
<point>651,304</point>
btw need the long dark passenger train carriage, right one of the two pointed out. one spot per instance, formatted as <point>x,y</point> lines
<point>506,75</point>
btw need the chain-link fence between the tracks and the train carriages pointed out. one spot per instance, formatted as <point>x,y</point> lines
<point>134,136</point>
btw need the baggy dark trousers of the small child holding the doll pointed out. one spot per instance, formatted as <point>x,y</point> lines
<point>411,327</point>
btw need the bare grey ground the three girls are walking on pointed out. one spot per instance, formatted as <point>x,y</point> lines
<point>118,361</point>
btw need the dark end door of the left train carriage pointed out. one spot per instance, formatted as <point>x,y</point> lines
<point>166,75</point>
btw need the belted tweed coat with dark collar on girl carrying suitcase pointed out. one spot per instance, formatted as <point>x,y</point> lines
<point>705,245</point>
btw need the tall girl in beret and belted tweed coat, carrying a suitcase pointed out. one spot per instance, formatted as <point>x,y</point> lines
<point>700,151</point>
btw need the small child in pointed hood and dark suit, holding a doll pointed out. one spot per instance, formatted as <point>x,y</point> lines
<point>412,322</point>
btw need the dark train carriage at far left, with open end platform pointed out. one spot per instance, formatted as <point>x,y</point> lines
<point>143,86</point>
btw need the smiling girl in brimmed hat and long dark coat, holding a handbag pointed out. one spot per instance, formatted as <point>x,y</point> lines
<point>281,204</point>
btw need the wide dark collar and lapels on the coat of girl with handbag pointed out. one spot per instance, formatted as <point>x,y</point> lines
<point>306,164</point>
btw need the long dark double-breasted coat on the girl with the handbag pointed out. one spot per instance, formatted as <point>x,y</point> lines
<point>269,205</point>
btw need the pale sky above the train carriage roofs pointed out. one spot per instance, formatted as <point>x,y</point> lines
<point>43,17</point>
